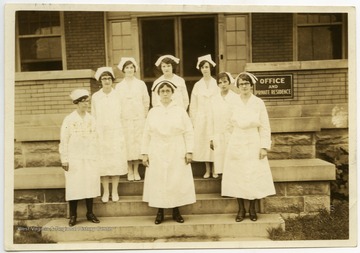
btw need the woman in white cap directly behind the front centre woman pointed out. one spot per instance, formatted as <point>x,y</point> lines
<point>167,65</point>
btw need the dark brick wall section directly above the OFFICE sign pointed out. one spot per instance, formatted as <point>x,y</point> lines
<point>272,37</point>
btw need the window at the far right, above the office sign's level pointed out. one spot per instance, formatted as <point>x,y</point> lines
<point>320,36</point>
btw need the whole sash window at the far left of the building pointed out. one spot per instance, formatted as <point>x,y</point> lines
<point>39,41</point>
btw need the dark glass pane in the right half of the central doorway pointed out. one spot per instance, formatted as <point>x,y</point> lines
<point>198,37</point>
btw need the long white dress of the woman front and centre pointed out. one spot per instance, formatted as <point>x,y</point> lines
<point>168,136</point>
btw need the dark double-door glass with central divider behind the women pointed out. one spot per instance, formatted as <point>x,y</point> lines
<point>186,37</point>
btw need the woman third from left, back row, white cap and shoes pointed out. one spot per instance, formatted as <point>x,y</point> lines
<point>135,102</point>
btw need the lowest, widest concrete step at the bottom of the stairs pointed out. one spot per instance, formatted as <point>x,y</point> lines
<point>196,227</point>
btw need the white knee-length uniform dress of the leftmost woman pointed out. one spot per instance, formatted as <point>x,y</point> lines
<point>78,148</point>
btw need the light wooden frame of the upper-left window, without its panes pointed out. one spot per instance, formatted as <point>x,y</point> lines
<point>19,37</point>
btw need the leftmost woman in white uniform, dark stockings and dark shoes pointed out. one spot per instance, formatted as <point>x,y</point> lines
<point>78,154</point>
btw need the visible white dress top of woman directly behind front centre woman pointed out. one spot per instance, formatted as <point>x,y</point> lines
<point>180,96</point>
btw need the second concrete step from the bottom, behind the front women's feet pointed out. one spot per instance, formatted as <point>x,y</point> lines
<point>134,206</point>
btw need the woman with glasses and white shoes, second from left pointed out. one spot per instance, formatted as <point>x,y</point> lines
<point>106,108</point>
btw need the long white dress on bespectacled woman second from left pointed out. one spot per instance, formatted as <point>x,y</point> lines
<point>106,108</point>
